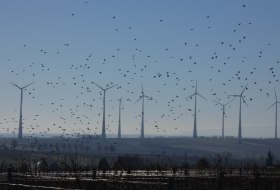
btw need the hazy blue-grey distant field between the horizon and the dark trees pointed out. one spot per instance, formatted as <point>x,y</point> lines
<point>176,150</point>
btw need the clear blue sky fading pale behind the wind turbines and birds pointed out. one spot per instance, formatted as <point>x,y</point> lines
<point>64,46</point>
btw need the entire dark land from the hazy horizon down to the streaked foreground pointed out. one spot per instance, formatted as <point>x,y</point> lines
<point>152,163</point>
